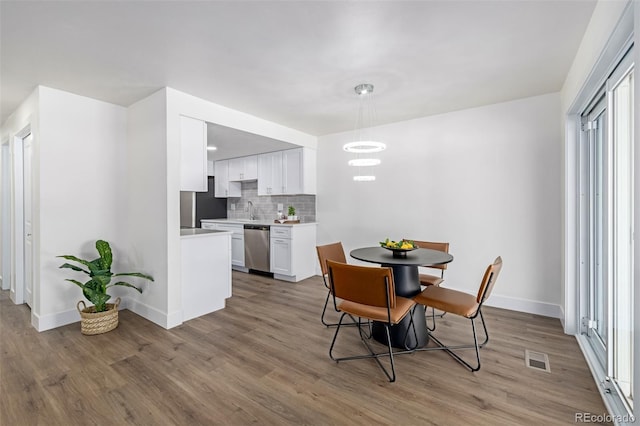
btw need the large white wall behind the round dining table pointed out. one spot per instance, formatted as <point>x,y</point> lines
<point>485,179</point>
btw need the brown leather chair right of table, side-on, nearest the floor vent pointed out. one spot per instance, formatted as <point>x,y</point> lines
<point>465,305</point>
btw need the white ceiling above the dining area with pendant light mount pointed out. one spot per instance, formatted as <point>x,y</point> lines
<point>293,62</point>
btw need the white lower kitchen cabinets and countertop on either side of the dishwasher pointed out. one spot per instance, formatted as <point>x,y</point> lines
<point>290,246</point>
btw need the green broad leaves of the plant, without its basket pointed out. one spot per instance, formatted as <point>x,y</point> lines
<point>99,272</point>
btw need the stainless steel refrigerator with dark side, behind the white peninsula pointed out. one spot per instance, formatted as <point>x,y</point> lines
<point>195,206</point>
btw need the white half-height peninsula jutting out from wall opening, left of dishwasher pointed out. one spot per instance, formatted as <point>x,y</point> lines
<point>206,271</point>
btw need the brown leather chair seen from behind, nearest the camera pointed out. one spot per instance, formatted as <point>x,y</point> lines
<point>368,293</point>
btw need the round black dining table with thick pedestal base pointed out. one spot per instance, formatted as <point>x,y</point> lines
<point>407,284</point>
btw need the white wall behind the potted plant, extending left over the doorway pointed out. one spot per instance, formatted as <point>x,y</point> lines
<point>78,184</point>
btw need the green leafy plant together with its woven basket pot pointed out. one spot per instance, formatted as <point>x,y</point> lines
<point>103,316</point>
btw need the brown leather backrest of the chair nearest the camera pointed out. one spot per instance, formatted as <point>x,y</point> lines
<point>371,286</point>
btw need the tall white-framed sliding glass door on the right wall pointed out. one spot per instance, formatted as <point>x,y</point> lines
<point>606,229</point>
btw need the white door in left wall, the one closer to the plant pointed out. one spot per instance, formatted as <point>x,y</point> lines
<point>28,246</point>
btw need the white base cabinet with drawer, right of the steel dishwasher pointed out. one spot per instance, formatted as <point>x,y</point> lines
<point>293,252</point>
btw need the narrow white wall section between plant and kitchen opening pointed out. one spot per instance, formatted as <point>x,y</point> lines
<point>146,222</point>
